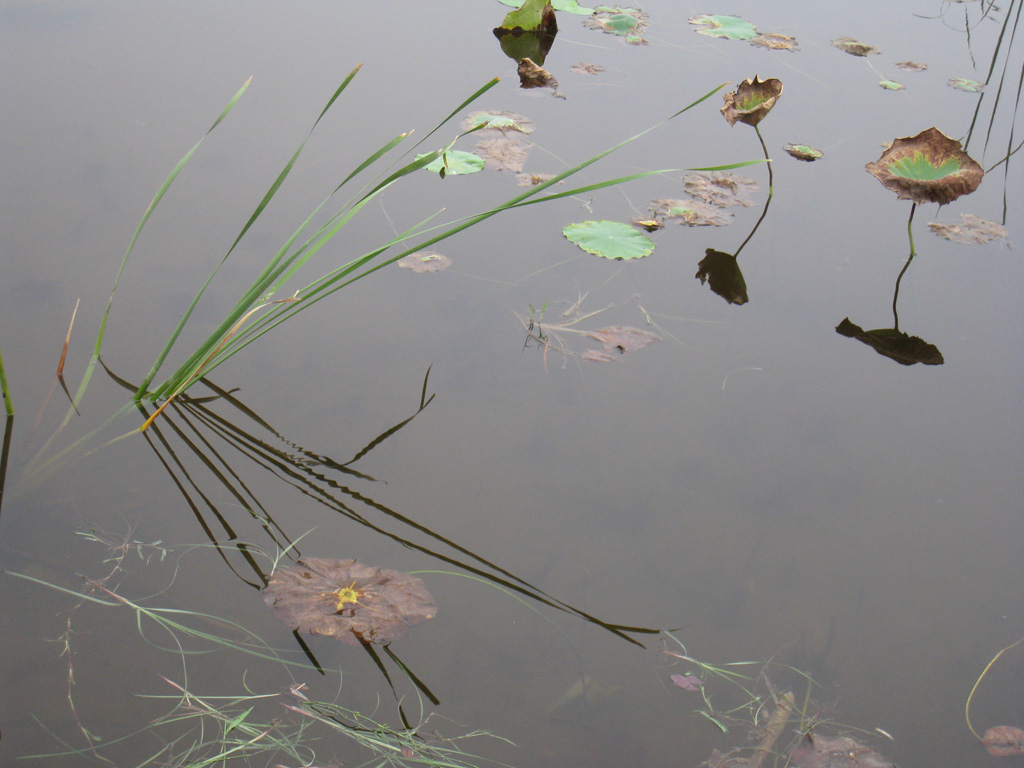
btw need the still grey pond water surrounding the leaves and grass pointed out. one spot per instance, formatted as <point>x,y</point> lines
<point>772,492</point>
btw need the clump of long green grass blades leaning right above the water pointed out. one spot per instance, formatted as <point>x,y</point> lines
<point>233,334</point>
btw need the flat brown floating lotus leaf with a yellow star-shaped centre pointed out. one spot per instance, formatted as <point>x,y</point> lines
<point>346,600</point>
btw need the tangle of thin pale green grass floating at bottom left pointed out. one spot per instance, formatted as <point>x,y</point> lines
<point>208,731</point>
